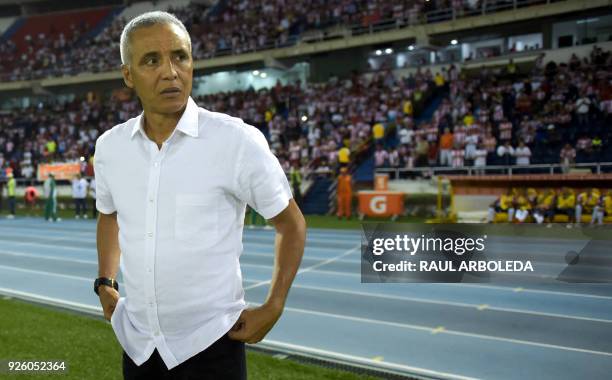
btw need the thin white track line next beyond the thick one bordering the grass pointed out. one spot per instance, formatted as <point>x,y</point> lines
<point>400,325</point>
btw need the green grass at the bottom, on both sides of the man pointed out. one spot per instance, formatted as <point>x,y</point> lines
<point>91,351</point>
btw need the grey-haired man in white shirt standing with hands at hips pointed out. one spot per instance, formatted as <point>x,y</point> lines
<point>172,187</point>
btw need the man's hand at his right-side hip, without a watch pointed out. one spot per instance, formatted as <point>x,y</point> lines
<point>253,324</point>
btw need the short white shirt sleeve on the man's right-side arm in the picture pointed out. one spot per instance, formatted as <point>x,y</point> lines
<point>260,179</point>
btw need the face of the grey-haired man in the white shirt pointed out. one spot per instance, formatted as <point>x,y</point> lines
<point>161,68</point>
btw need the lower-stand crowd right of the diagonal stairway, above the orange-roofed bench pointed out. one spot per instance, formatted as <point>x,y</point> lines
<point>557,113</point>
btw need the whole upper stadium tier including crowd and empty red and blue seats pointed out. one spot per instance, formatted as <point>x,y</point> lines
<point>67,43</point>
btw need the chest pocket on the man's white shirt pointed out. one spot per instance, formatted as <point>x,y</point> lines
<point>197,220</point>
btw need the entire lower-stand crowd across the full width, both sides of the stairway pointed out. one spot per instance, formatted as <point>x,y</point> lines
<point>556,113</point>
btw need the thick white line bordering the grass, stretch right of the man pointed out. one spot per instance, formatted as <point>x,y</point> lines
<point>364,361</point>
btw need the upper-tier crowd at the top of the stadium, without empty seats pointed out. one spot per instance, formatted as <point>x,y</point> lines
<point>229,27</point>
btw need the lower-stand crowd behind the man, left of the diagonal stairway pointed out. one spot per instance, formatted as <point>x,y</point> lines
<point>307,125</point>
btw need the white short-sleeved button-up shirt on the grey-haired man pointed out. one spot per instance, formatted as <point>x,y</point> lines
<point>180,211</point>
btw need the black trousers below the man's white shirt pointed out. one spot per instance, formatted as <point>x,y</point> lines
<point>225,359</point>
